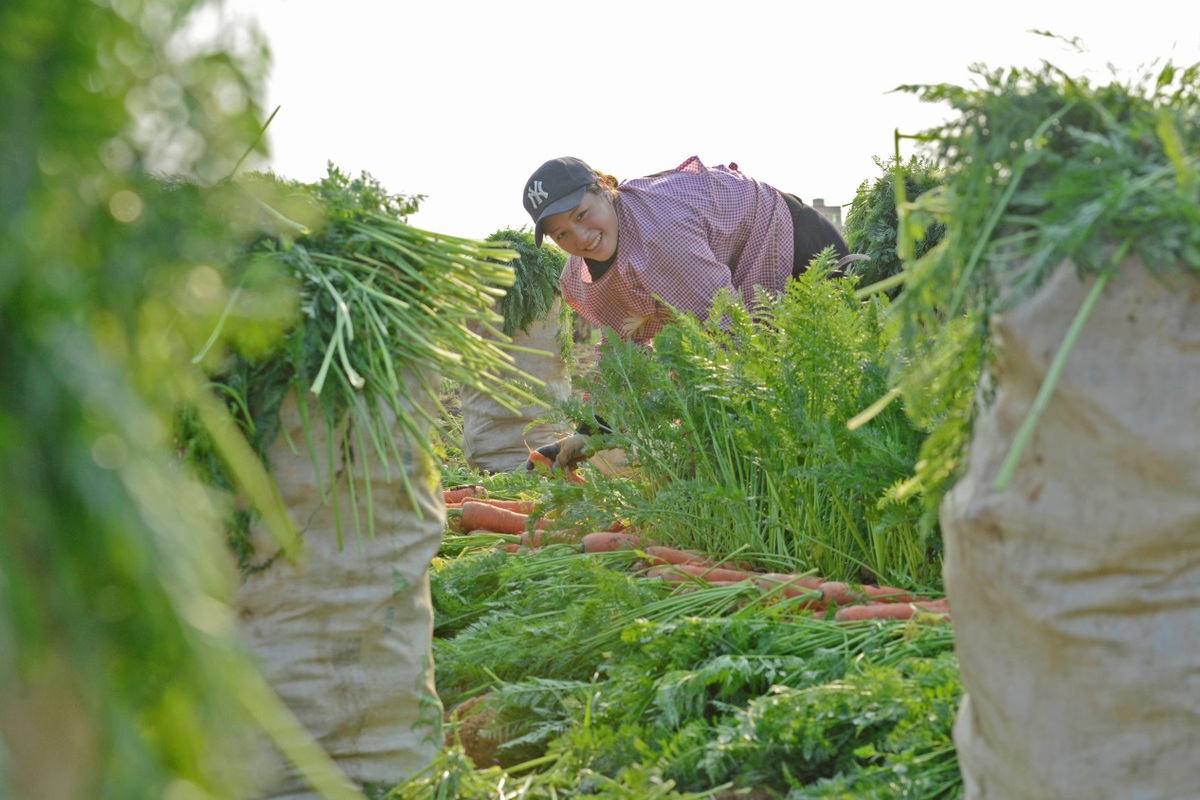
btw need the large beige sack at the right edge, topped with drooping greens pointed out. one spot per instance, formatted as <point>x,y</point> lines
<point>1077,591</point>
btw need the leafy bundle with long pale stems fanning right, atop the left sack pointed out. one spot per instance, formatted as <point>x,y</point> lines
<point>380,315</point>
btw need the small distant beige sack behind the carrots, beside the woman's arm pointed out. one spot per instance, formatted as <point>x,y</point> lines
<point>494,438</point>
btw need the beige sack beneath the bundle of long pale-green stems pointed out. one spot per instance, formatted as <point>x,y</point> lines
<point>345,637</point>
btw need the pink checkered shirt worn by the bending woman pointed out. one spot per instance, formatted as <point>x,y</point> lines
<point>682,238</point>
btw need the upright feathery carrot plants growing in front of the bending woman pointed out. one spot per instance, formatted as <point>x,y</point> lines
<point>736,428</point>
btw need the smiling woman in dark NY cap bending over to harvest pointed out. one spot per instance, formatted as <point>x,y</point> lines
<point>641,249</point>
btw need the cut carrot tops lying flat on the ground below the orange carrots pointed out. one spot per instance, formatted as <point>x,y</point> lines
<point>602,684</point>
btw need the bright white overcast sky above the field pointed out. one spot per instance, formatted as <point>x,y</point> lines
<point>461,101</point>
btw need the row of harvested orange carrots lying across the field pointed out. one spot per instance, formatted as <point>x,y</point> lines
<point>470,510</point>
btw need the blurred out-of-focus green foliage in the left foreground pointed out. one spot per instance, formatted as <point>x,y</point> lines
<point>121,671</point>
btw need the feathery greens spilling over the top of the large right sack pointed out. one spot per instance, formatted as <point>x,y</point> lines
<point>1043,171</point>
